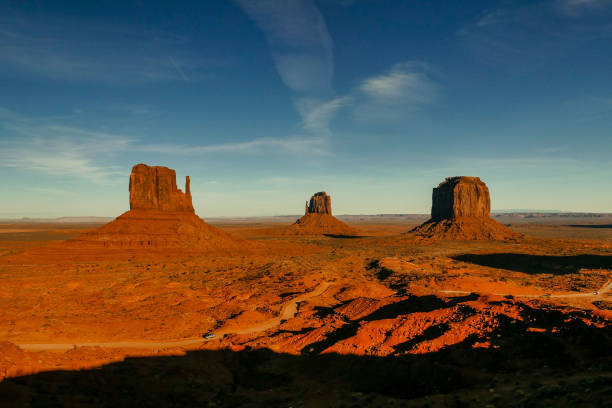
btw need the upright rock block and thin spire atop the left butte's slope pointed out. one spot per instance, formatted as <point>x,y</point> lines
<point>154,188</point>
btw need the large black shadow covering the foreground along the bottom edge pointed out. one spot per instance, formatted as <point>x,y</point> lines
<point>568,366</point>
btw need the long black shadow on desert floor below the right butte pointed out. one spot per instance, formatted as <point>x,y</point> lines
<point>534,264</point>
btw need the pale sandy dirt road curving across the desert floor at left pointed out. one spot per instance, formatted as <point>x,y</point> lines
<point>287,312</point>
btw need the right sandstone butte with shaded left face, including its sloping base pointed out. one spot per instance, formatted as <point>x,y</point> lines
<point>461,210</point>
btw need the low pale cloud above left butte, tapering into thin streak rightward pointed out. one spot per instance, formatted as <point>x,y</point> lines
<point>40,145</point>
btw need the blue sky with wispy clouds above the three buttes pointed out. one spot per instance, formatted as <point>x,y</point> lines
<point>264,102</point>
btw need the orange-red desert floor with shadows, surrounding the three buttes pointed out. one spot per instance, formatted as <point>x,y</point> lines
<point>313,321</point>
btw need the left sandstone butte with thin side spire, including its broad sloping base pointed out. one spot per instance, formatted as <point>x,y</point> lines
<point>160,216</point>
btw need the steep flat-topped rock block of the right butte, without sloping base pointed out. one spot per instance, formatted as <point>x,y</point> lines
<point>458,197</point>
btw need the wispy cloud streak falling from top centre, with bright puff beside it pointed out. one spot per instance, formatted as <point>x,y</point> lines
<point>302,50</point>
